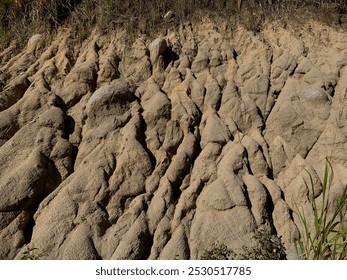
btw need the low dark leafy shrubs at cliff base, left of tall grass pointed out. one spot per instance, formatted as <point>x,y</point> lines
<point>268,247</point>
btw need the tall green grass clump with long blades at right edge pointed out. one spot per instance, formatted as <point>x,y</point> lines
<point>328,238</point>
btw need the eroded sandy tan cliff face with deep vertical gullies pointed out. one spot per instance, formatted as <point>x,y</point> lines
<point>159,150</point>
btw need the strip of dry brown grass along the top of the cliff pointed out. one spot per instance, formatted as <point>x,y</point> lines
<point>19,19</point>
